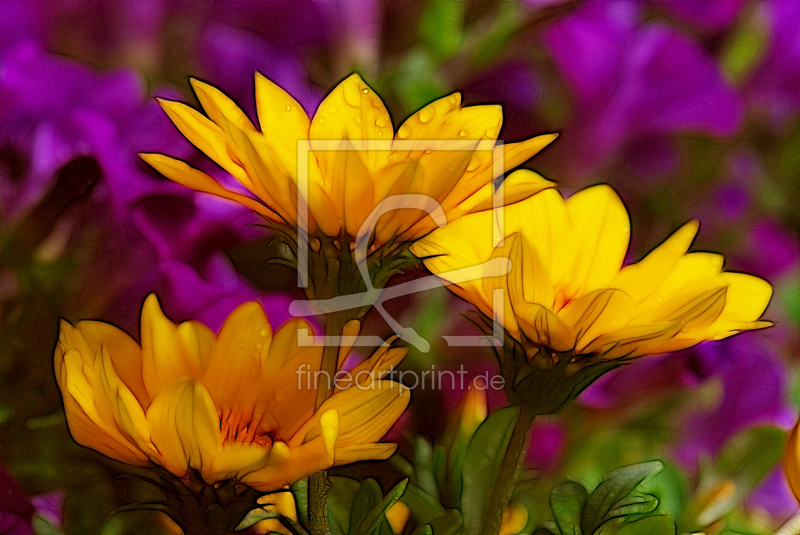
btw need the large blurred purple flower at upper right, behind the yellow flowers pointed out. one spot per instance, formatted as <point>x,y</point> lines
<point>635,80</point>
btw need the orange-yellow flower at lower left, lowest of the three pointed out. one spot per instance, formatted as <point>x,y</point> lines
<point>236,405</point>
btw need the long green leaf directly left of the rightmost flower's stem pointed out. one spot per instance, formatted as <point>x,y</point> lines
<point>482,465</point>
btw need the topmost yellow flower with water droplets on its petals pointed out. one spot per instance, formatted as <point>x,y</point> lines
<point>351,157</point>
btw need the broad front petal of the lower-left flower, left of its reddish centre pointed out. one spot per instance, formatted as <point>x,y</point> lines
<point>184,427</point>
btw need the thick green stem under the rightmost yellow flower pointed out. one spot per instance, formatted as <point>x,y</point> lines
<point>509,472</point>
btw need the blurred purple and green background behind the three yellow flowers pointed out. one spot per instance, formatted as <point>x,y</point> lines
<point>689,109</point>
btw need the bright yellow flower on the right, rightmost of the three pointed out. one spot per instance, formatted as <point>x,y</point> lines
<point>568,290</point>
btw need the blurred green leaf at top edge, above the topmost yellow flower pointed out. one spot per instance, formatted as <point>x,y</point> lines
<point>441,27</point>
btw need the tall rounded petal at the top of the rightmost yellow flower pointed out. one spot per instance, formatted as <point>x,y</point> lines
<point>602,230</point>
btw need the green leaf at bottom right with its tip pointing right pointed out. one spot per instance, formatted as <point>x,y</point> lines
<point>615,486</point>
